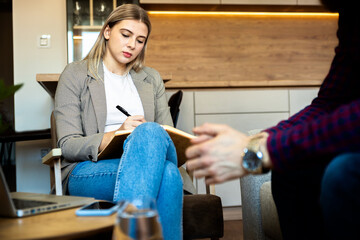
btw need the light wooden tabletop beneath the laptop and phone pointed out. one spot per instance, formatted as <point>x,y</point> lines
<point>63,224</point>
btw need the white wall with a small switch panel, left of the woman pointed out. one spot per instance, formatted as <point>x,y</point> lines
<point>33,105</point>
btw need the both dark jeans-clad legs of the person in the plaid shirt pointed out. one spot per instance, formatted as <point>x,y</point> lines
<point>320,202</point>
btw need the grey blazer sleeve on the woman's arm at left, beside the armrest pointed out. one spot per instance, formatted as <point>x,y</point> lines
<point>72,139</point>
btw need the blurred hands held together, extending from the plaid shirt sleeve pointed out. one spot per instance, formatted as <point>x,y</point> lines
<point>216,153</point>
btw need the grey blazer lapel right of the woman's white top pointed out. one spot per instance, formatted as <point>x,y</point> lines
<point>146,93</point>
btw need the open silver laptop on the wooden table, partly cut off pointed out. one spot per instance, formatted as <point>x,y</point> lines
<point>21,204</point>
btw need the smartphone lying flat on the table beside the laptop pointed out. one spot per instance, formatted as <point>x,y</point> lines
<point>98,208</point>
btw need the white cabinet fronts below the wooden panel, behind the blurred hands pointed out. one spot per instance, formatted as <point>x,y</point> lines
<point>242,109</point>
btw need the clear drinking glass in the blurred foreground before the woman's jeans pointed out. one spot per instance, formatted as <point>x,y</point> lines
<point>137,219</point>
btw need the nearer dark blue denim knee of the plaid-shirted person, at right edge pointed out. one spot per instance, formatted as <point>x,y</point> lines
<point>340,197</point>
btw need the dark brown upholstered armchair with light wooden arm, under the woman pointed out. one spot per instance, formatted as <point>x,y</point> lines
<point>202,213</point>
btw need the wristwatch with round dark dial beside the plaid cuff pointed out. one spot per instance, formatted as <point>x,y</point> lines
<point>253,157</point>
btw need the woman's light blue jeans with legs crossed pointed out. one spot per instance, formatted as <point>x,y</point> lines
<point>147,168</point>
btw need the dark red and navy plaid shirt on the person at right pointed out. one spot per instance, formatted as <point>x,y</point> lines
<point>331,124</point>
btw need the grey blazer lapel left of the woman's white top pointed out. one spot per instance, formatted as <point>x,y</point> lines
<point>97,92</point>
